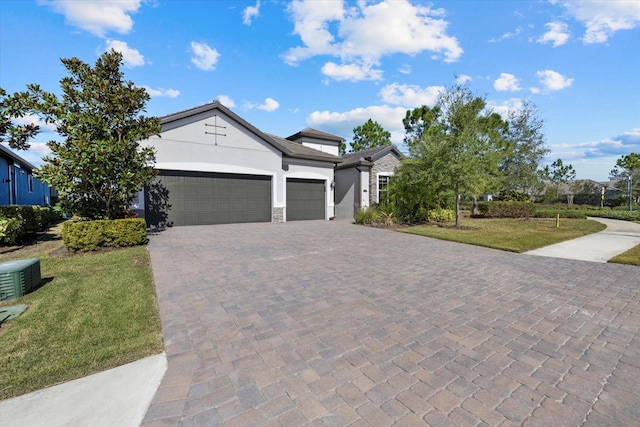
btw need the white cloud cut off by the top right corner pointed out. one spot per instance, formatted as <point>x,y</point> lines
<point>603,19</point>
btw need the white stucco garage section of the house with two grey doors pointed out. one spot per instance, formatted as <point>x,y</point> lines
<point>214,168</point>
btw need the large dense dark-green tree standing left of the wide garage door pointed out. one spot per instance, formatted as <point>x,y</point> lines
<point>99,165</point>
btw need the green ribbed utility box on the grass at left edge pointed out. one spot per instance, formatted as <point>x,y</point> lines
<point>18,278</point>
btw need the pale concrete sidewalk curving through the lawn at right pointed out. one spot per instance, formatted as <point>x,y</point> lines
<point>618,237</point>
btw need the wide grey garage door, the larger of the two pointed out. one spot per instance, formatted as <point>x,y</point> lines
<point>202,198</point>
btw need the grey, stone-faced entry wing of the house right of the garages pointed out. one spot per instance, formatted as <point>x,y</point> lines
<point>363,177</point>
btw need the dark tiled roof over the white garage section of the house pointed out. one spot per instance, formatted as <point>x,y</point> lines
<point>285,146</point>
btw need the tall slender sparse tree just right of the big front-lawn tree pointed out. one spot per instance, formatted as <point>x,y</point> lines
<point>525,136</point>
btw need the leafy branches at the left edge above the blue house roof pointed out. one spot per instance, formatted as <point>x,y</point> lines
<point>12,107</point>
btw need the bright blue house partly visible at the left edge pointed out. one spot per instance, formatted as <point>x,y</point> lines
<point>18,186</point>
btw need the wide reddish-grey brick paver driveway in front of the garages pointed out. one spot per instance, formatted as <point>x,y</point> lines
<point>329,323</point>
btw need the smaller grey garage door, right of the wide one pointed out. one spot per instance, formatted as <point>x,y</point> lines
<point>305,199</point>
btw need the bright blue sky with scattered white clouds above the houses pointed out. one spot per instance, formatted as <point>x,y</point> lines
<point>332,65</point>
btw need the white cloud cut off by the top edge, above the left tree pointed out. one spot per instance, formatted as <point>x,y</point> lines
<point>96,16</point>
